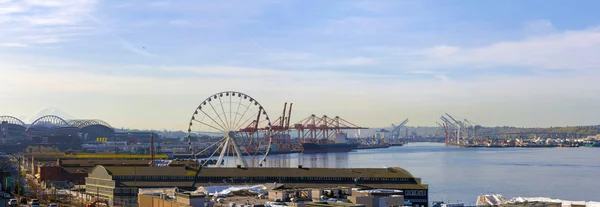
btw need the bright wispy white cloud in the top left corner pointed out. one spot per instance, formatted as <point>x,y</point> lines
<point>33,22</point>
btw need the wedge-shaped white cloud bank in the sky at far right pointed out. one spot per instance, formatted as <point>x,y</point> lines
<point>572,50</point>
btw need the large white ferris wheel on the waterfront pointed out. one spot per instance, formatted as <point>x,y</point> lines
<point>232,128</point>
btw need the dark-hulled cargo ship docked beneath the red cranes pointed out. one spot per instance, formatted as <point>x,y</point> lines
<point>339,144</point>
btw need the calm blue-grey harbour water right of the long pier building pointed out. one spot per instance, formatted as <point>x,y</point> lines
<point>461,174</point>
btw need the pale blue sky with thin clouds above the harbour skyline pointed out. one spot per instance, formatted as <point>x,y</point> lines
<point>147,64</point>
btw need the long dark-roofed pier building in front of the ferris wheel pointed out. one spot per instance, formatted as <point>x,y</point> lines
<point>120,184</point>
